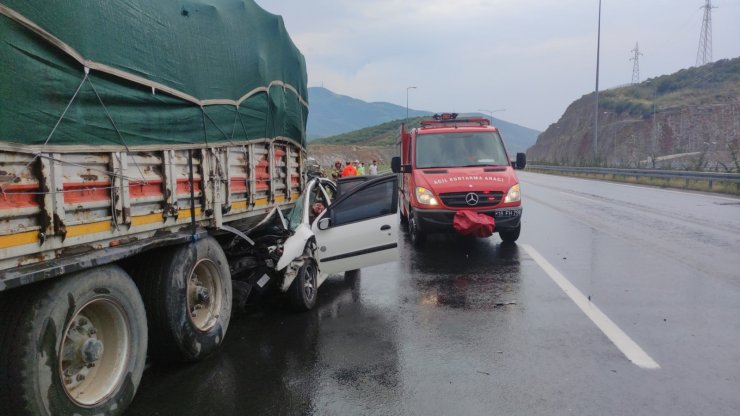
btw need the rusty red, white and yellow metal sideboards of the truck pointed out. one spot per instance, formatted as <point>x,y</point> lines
<point>55,205</point>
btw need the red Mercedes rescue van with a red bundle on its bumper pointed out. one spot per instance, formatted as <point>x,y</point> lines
<point>451,164</point>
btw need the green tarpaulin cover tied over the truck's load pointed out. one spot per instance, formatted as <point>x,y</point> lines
<point>122,74</point>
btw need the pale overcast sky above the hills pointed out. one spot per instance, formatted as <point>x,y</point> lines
<point>529,57</point>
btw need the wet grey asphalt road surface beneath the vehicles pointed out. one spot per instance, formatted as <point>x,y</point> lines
<point>479,328</point>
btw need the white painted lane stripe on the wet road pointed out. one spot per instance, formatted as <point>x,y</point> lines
<point>629,348</point>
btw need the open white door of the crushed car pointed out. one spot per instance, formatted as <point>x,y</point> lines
<point>360,228</point>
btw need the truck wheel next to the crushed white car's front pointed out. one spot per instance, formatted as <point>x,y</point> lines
<point>187,292</point>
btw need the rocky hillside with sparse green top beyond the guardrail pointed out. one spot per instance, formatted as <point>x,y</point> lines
<point>690,119</point>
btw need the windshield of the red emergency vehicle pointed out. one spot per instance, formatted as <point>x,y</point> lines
<point>443,150</point>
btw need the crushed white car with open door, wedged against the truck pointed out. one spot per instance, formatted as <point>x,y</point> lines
<point>333,228</point>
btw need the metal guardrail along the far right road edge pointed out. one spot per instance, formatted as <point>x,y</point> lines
<point>654,173</point>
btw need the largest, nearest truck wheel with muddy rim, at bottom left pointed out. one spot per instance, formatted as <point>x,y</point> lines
<point>74,345</point>
